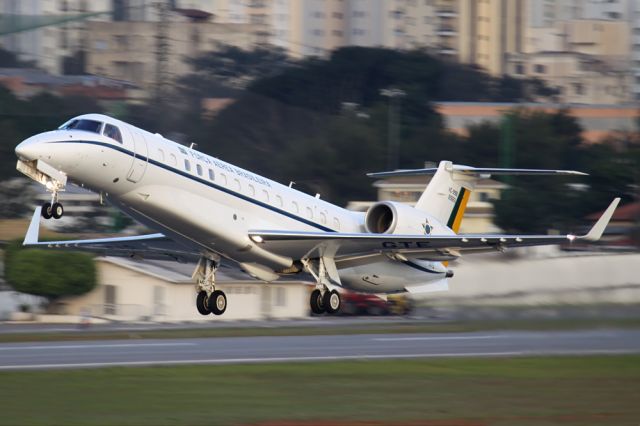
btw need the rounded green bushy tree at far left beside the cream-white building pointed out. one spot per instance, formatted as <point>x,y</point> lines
<point>51,274</point>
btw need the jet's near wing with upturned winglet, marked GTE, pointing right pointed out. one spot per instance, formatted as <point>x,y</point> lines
<point>365,247</point>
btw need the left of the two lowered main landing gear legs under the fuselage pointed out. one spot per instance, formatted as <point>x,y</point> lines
<point>209,300</point>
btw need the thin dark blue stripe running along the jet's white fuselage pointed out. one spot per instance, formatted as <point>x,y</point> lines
<point>202,181</point>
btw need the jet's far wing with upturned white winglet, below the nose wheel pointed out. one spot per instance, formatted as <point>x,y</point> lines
<point>150,246</point>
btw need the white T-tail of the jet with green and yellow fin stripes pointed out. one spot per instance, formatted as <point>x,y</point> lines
<point>447,194</point>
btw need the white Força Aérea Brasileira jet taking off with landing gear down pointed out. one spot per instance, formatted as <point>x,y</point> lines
<point>206,210</point>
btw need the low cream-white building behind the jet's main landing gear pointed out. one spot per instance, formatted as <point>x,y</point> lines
<point>130,290</point>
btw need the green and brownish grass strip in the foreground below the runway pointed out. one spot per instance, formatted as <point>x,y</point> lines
<point>538,390</point>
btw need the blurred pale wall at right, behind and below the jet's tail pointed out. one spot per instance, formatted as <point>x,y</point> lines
<point>500,279</point>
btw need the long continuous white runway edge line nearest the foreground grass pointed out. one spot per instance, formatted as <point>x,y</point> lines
<point>316,358</point>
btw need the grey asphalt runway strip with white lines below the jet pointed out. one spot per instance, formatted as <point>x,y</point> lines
<point>104,353</point>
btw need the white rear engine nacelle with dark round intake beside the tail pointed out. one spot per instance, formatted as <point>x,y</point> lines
<point>388,217</point>
